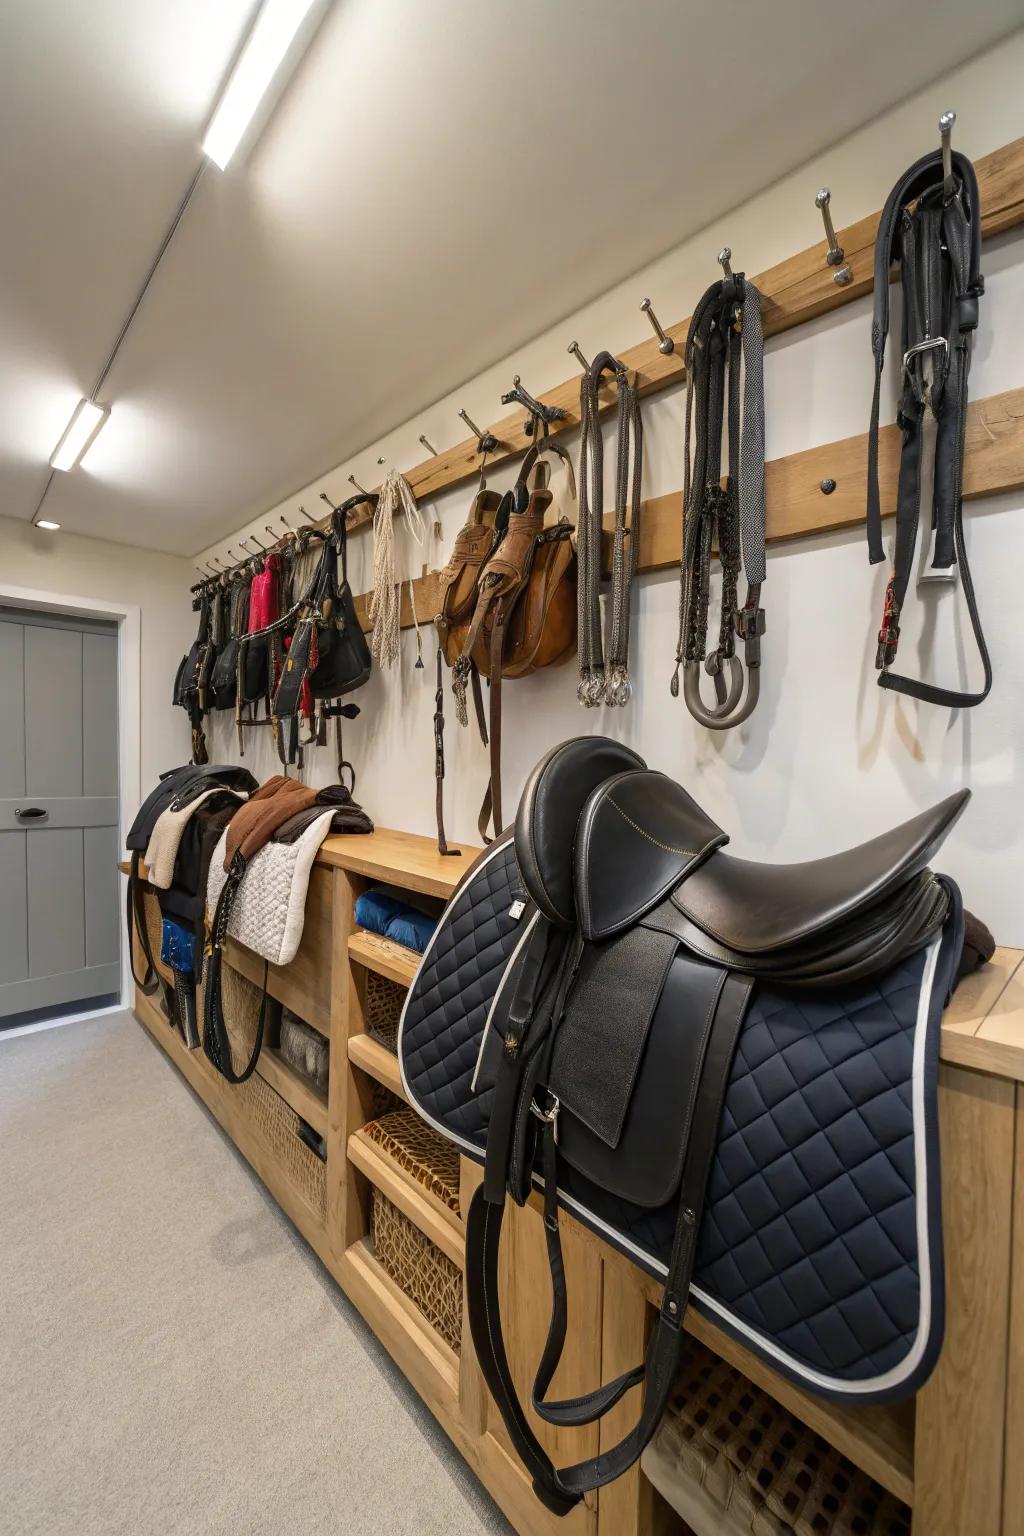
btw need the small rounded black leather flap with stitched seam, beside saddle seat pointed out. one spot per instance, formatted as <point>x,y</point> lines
<point>639,838</point>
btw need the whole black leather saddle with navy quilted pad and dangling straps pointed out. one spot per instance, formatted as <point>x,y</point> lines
<point>727,1070</point>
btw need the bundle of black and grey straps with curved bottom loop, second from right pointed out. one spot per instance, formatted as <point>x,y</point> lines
<point>725,380</point>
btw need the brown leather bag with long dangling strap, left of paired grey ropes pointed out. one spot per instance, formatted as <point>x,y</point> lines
<point>526,612</point>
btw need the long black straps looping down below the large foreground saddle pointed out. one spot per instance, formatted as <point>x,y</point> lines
<point>561,1489</point>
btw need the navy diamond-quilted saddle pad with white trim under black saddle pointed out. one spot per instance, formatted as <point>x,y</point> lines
<point>821,1240</point>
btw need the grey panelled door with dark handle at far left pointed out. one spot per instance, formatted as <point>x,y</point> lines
<point>59,807</point>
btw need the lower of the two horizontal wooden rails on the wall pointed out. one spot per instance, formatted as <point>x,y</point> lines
<point>994,463</point>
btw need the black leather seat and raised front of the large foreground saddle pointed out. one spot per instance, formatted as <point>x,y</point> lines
<point>604,844</point>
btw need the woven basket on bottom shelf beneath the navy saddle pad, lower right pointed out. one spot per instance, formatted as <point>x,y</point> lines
<point>764,1469</point>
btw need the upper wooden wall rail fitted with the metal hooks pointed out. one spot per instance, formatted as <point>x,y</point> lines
<point>794,291</point>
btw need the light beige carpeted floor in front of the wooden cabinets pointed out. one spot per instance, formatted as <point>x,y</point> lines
<point>173,1357</point>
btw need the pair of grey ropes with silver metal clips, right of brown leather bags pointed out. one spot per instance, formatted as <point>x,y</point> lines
<point>606,660</point>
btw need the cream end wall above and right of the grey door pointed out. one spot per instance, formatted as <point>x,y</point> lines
<point>159,584</point>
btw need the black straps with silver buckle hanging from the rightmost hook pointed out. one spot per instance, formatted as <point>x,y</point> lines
<point>937,243</point>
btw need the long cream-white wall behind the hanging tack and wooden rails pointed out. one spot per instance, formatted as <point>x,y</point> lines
<point>827,760</point>
